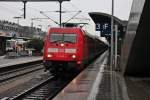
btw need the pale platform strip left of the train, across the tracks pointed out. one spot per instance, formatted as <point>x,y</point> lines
<point>4,62</point>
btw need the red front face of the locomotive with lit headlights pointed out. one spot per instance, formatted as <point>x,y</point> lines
<point>61,50</point>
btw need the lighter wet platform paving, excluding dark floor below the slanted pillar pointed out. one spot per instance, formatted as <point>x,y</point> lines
<point>94,83</point>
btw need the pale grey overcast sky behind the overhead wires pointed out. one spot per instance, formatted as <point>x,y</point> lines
<point>8,10</point>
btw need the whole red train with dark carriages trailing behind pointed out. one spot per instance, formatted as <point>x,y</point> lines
<point>69,49</point>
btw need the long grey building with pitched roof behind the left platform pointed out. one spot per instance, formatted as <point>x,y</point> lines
<point>9,30</point>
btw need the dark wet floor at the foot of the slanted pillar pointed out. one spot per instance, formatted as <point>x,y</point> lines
<point>138,88</point>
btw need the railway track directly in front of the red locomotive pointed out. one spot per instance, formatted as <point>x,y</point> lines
<point>45,90</point>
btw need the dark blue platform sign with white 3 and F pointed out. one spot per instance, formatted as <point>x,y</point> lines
<point>104,28</point>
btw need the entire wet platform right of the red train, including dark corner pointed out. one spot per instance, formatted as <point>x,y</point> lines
<point>97,82</point>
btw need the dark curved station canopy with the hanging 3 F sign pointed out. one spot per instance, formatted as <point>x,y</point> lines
<point>103,23</point>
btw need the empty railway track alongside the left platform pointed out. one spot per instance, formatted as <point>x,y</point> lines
<point>19,71</point>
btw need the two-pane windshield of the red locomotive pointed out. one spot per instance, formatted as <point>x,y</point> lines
<point>63,37</point>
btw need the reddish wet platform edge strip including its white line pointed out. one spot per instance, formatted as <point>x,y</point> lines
<point>86,85</point>
